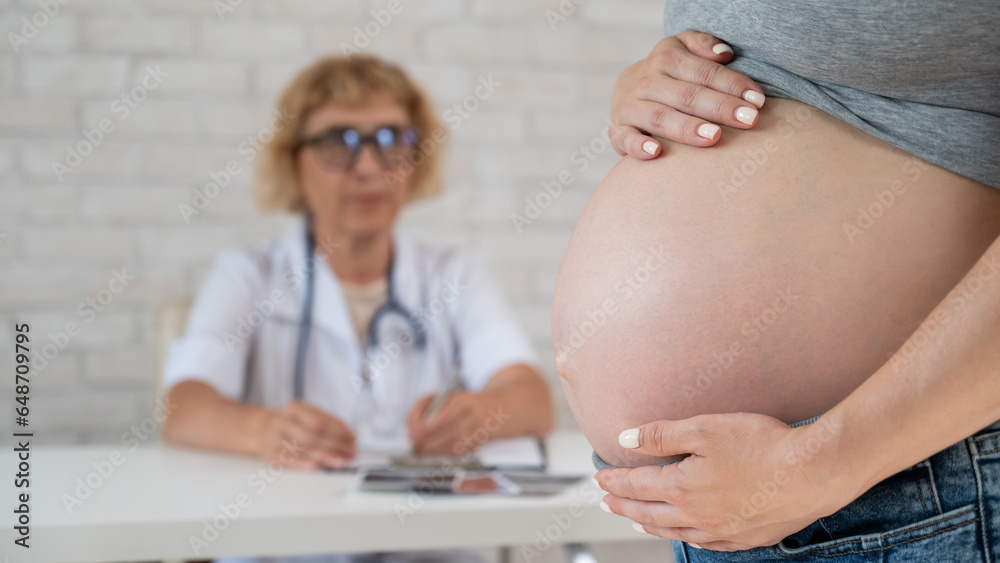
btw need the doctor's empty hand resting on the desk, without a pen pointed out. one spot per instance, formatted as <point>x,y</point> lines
<point>304,437</point>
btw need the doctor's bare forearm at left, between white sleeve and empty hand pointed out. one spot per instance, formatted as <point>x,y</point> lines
<point>202,418</point>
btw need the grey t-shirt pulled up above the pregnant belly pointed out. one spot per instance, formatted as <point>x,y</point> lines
<point>921,75</point>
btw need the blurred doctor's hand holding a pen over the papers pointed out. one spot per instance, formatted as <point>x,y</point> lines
<point>454,430</point>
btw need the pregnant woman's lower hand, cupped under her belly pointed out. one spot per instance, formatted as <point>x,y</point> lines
<point>751,480</point>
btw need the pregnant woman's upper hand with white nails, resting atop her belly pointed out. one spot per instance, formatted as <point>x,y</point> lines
<point>680,92</point>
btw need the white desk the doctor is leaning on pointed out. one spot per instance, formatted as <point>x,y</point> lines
<point>159,497</point>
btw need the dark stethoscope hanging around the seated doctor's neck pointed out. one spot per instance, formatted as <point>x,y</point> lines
<point>392,306</point>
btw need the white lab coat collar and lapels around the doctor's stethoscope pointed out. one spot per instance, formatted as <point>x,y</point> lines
<point>330,312</point>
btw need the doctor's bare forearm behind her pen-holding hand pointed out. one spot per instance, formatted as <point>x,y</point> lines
<point>518,403</point>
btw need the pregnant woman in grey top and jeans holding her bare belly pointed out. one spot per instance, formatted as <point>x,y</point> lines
<point>789,343</point>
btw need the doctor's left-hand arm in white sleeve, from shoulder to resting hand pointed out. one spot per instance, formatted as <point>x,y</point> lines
<point>206,375</point>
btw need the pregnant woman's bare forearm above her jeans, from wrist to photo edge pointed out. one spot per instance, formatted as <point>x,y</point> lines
<point>940,387</point>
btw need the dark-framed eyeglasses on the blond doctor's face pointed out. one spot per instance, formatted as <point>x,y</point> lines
<point>338,148</point>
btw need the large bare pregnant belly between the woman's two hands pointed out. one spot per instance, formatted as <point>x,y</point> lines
<point>772,273</point>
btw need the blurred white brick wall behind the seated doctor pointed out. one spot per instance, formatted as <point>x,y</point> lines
<point>118,208</point>
